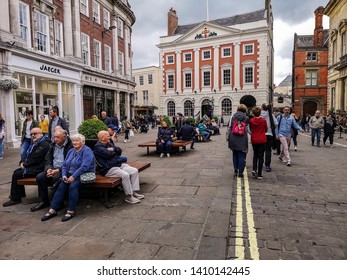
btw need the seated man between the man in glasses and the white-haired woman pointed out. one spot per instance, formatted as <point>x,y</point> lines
<point>51,176</point>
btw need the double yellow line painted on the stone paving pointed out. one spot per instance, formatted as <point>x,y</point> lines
<point>252,235</point>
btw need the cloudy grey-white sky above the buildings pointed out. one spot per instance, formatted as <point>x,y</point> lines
<point>291,16</point>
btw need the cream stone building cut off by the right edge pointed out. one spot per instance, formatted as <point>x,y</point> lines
<point>336,10</point>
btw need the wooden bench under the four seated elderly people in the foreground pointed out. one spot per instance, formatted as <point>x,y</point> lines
<point>101,182</point>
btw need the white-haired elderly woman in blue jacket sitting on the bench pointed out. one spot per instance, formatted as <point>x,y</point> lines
<point>79,160</point>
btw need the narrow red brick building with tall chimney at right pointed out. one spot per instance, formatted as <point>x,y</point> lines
<point>310,69</point>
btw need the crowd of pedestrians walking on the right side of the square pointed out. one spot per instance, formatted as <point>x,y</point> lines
<point>273,131</point>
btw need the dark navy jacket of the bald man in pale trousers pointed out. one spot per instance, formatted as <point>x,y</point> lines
<point>107,159</point>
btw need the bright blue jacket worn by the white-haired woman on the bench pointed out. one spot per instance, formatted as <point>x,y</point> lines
<point>80,163</point>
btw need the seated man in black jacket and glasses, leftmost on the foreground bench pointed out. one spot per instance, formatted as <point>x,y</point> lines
<point>30,165</point>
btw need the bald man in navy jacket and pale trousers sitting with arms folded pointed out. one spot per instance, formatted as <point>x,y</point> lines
<point>108,157</point>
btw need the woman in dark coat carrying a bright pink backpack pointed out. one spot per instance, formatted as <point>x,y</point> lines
<point>238,139</point>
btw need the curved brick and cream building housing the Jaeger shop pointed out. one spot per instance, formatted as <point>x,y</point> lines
<point>75,54</point>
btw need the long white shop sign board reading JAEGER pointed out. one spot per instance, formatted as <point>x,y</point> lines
<point>38,68</point>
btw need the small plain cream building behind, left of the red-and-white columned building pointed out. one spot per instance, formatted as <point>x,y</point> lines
<point>147,90</point>
